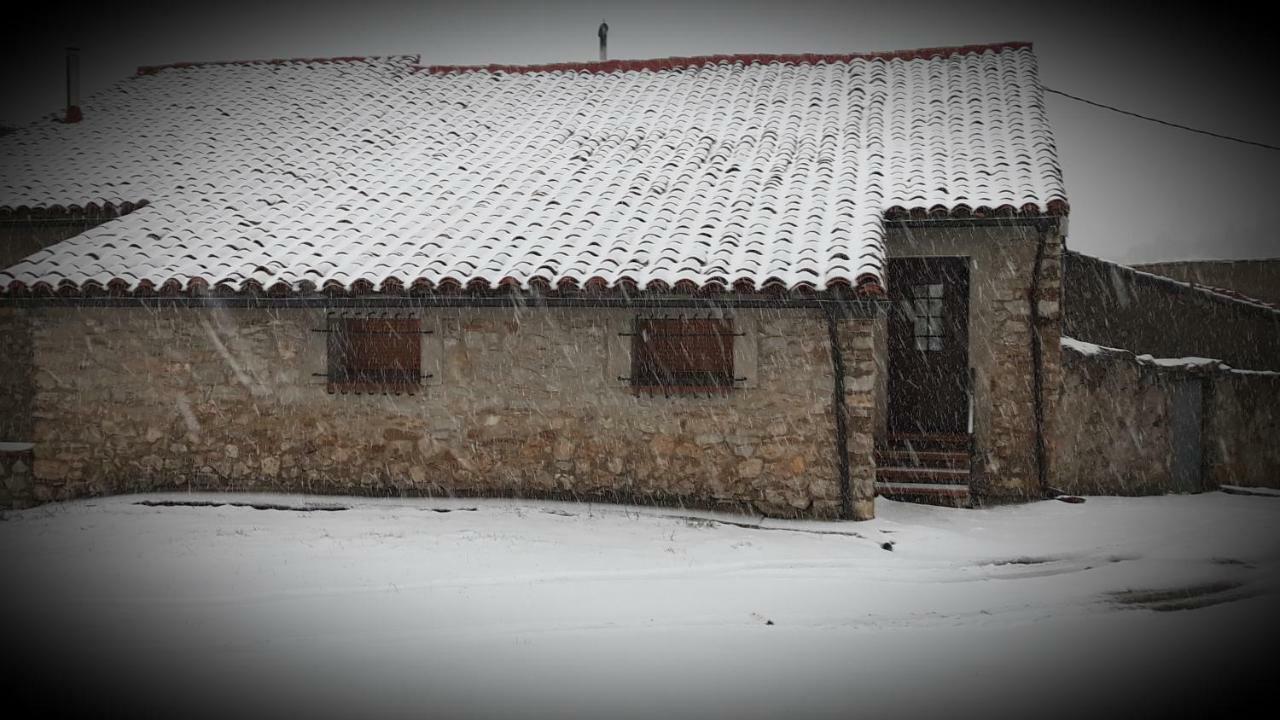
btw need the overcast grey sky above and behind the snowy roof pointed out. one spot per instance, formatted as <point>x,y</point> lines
<point>1139,192</point>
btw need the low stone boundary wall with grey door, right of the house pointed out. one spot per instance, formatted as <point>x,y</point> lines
<point>1136,425</point>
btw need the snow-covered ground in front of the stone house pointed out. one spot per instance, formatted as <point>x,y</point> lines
<point>491,608</point>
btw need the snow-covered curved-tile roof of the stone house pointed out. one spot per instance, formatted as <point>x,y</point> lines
<point>725,172</point>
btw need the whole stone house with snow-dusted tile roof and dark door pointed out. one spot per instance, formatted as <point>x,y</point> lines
<point>780,284</point>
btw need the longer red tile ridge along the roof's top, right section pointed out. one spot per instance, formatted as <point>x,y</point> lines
<point>747,60</point>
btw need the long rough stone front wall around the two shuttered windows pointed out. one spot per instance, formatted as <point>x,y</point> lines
<point>522,403</point>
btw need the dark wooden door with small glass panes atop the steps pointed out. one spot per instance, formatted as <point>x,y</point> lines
<point>929,345</point>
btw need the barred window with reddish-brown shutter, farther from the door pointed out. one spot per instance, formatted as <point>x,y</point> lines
<point>376,354</point>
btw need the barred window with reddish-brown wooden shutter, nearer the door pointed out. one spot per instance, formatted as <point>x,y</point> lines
<point>683,356</point>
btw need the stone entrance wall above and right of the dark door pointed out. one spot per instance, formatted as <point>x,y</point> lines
<point>1002,261</point>
